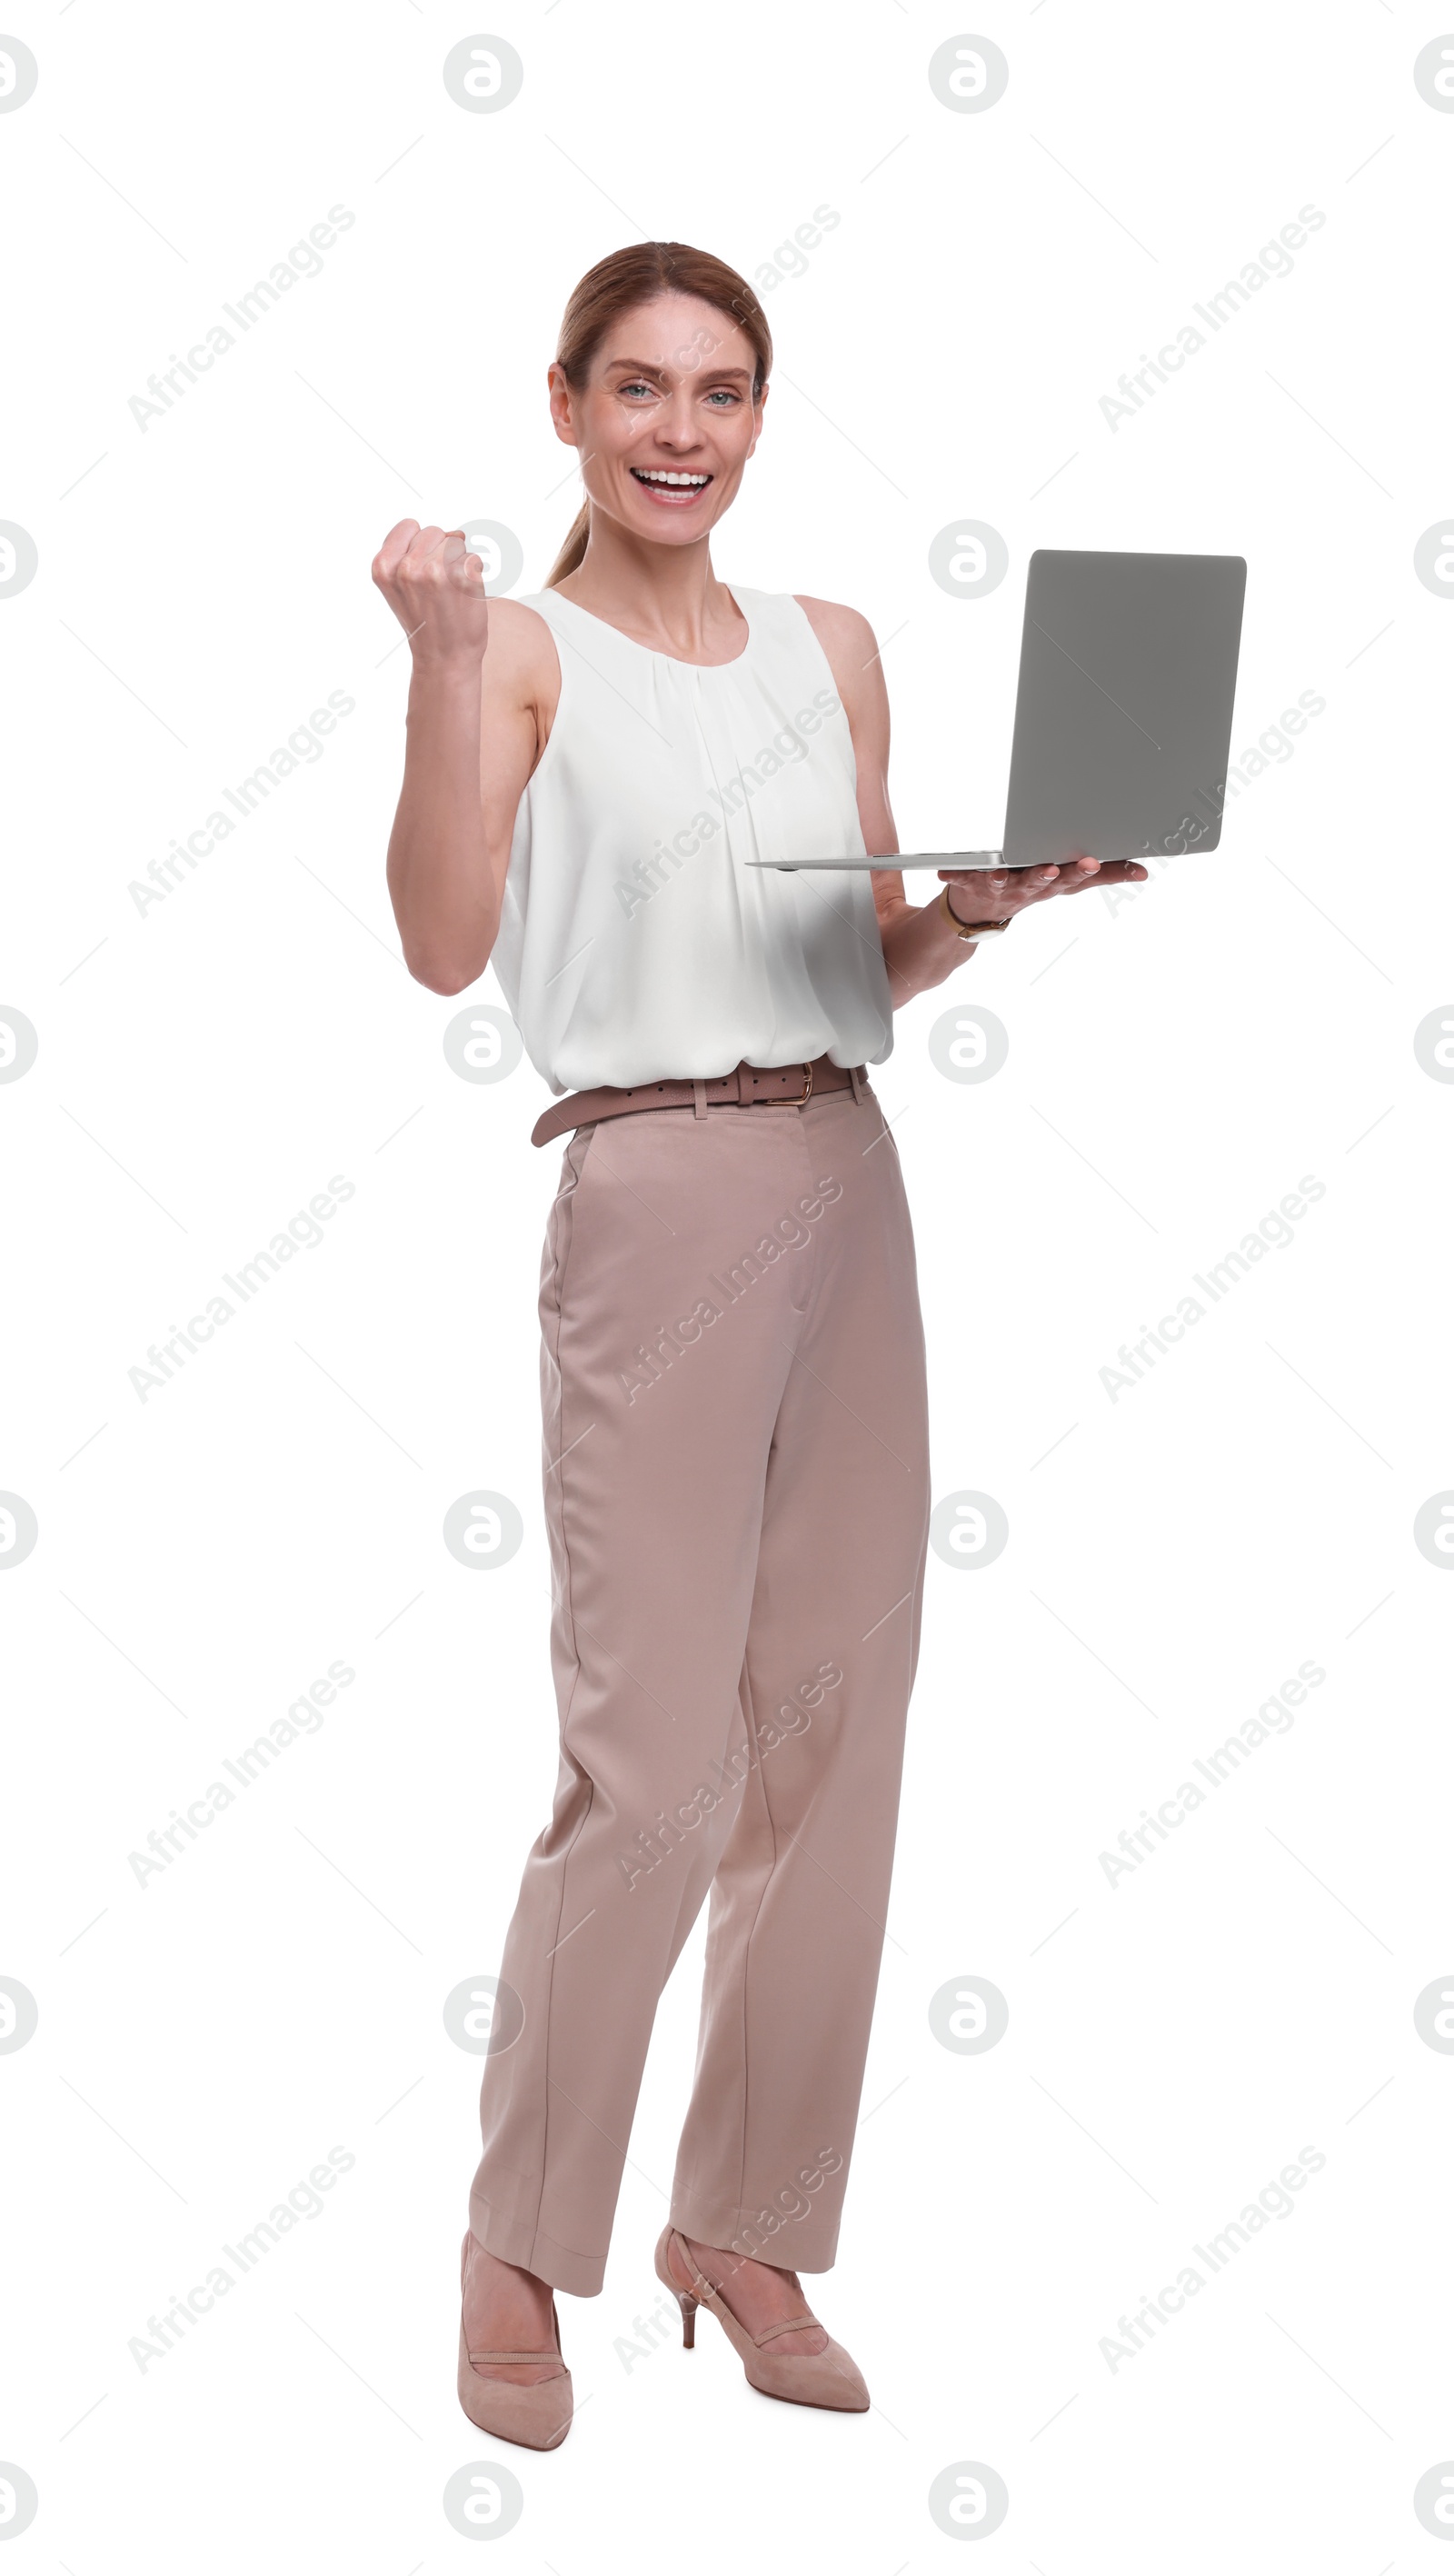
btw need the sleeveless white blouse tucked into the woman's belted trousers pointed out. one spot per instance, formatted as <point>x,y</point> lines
<point>634,942</point>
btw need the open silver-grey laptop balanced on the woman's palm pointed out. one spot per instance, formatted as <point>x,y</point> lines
<point>1123,720</point>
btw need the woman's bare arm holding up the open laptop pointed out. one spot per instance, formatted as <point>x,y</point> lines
<point>920,947</point>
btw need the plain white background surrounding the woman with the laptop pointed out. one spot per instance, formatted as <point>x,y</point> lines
<point>1175,1068</point>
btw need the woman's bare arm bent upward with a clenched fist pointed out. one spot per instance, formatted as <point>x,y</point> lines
<point>483,699</point>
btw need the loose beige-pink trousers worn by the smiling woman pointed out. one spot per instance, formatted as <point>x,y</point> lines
<point>737,1493</point>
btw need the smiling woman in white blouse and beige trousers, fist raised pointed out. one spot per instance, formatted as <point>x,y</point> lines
<point>737,1477</point>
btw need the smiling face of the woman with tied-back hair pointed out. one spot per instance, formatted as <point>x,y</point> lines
<point>668,421</point>
